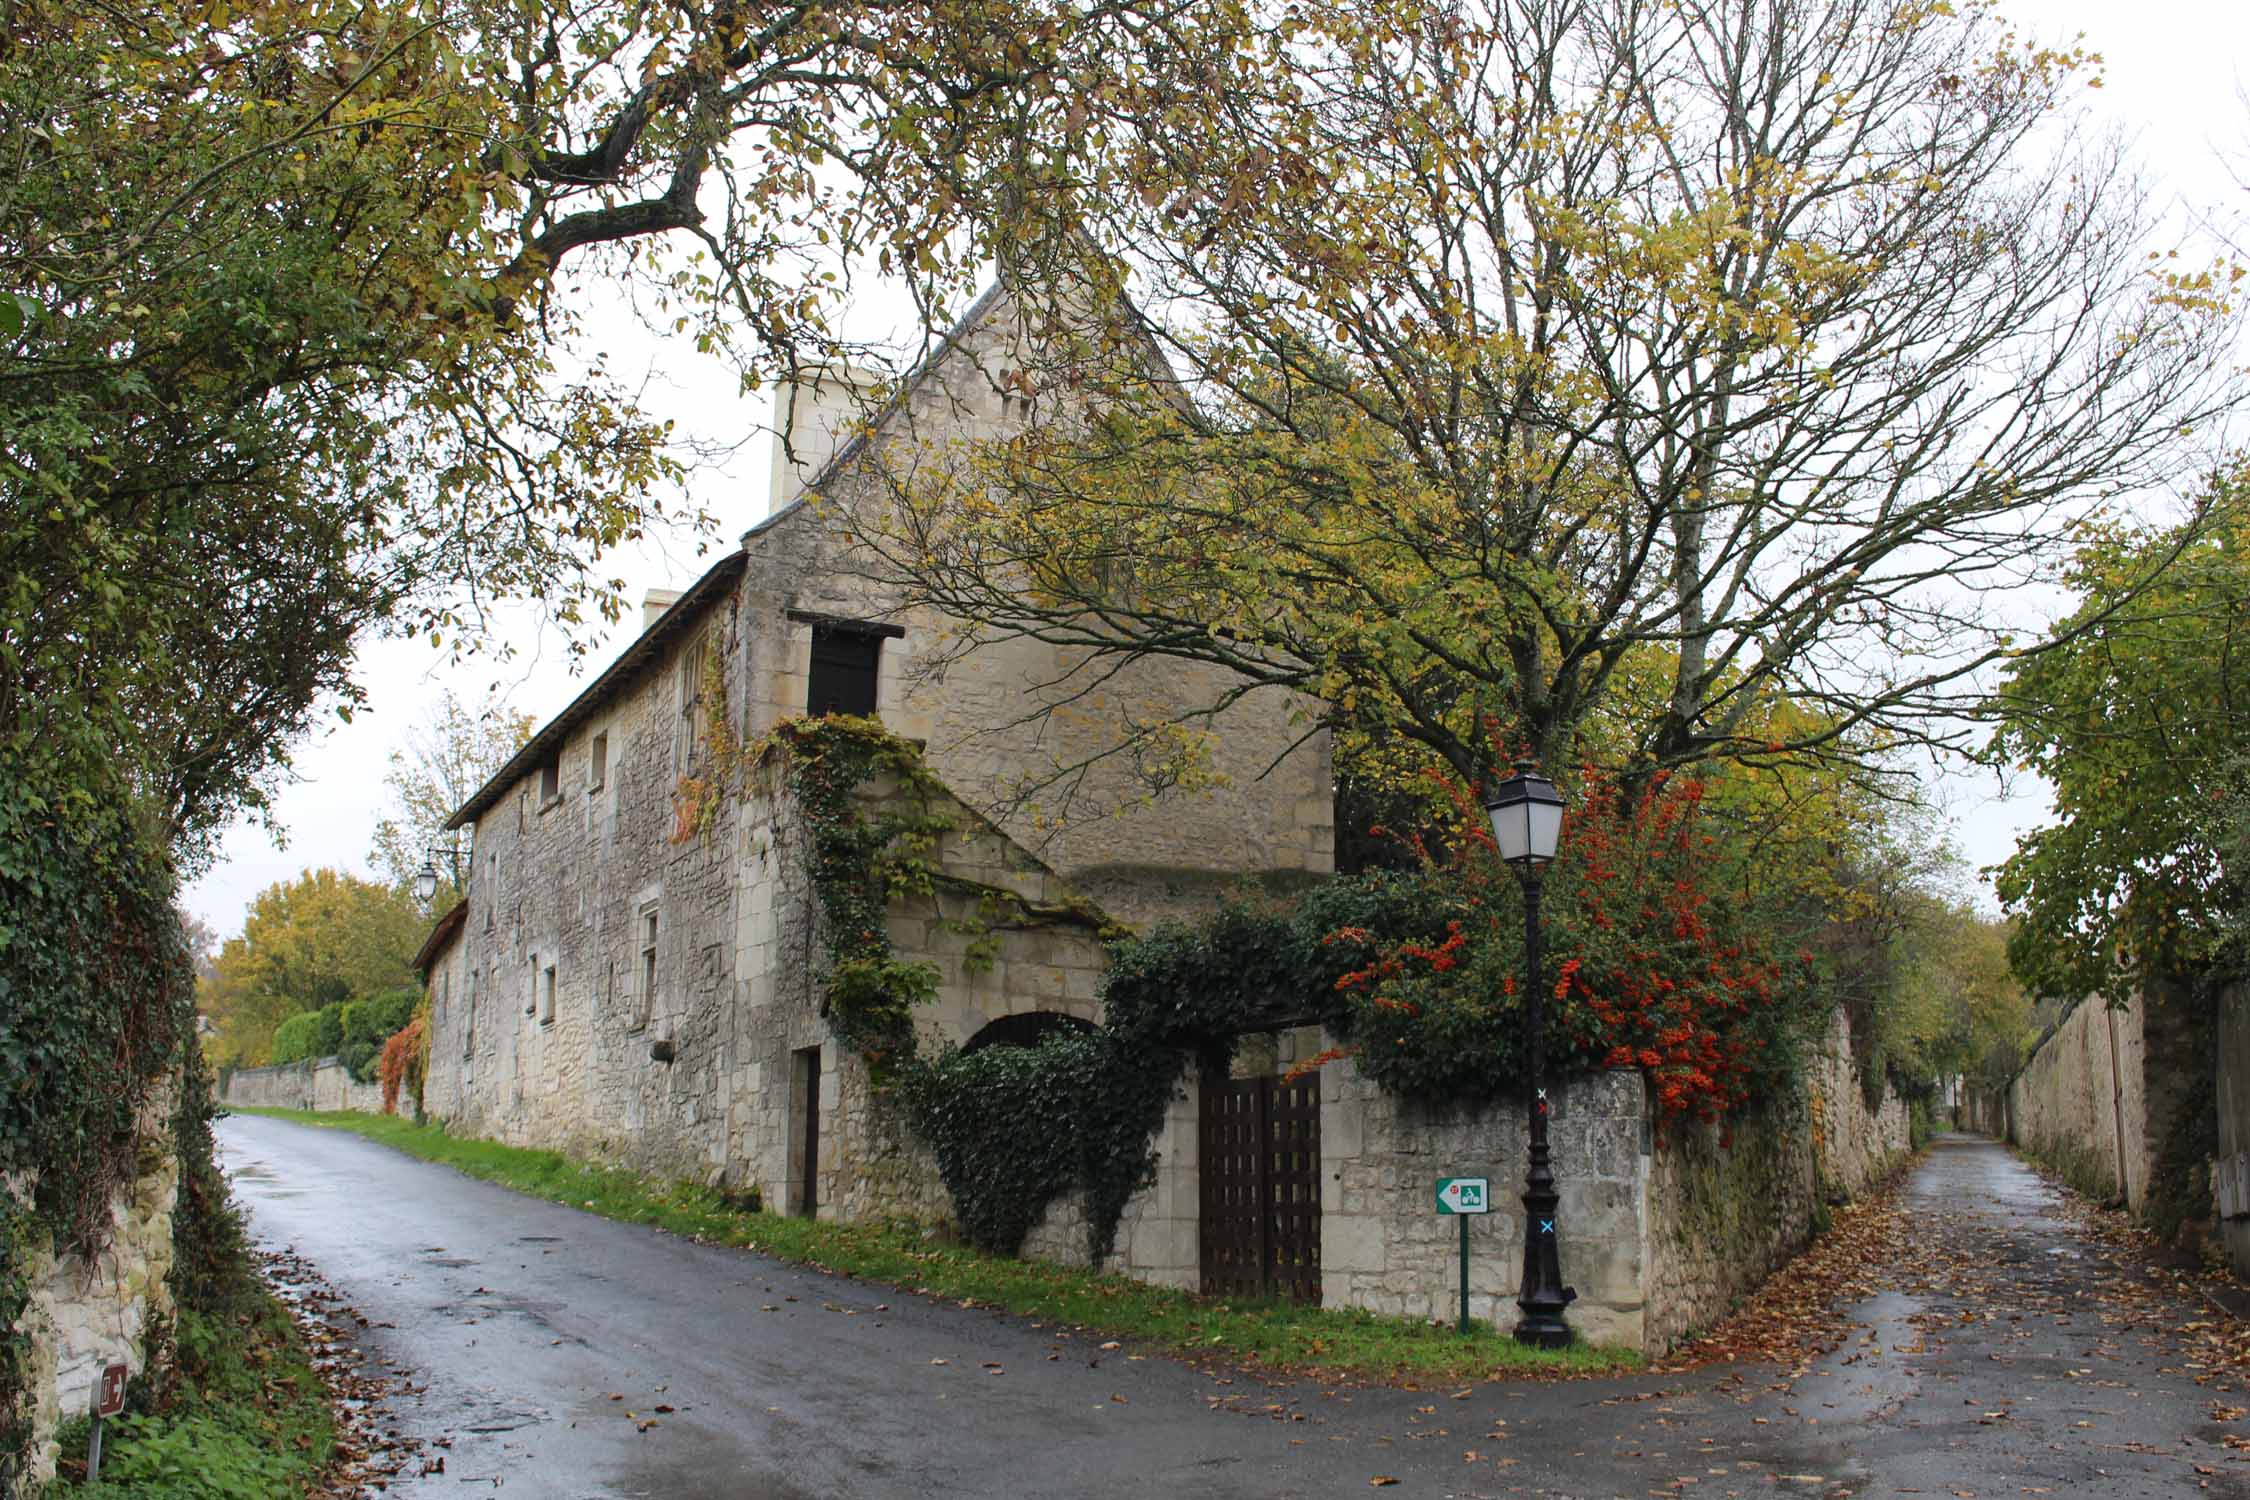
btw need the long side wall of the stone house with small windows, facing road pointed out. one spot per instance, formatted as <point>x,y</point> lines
<point>593,984</point>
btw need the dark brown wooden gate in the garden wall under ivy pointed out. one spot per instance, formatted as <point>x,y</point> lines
<point>1261,1189</point>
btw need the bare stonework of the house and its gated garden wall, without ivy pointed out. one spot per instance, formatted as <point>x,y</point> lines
<point>638,968</point>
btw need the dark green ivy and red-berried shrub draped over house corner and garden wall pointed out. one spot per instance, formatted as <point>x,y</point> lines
<point>1414,970</point>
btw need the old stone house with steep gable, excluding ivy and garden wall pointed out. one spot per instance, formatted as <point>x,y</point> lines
<point>636,968</point>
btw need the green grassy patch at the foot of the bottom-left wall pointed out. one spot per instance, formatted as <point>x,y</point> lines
<point>246,1418</point>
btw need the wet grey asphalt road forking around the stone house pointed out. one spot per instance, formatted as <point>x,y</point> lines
<point>2008,1357</point>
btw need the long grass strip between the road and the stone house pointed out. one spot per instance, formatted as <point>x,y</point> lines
<point>1344,1344</point>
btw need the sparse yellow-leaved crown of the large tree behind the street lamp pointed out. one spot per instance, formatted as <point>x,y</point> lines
<point>1671,381</point>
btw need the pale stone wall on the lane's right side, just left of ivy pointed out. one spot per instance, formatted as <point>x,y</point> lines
<point>2080,1101</point>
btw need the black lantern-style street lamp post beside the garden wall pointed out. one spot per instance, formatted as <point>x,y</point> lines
<point>1527,824</point>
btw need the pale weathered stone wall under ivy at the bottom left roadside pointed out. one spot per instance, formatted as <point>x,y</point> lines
<point>89,1312</point>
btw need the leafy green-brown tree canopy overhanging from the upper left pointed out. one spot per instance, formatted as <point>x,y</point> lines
<point>285,354</point>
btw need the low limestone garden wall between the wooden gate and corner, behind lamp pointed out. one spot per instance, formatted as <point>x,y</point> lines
<point>1385,1247</point>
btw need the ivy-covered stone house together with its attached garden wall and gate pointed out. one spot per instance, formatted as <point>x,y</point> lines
<point>825,901</point>
